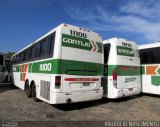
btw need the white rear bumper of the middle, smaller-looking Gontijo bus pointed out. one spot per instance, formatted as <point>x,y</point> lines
<point>120,93</point>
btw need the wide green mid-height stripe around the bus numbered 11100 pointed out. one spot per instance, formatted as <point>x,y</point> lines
<point>59,66</point>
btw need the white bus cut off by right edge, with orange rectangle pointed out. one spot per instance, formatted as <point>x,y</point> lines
<point>150,67</point>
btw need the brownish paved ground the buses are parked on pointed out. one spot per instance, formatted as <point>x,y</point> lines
<point>14,105</point>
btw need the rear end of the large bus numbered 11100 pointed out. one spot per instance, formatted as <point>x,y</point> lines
<point>80,65</point>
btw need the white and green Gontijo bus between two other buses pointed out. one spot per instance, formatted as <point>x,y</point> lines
<point>121,68</point>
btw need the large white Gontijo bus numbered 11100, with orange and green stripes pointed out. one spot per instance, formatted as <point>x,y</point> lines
<point>63,66</point>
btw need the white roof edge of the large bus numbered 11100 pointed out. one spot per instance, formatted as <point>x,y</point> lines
<point>50,32</point>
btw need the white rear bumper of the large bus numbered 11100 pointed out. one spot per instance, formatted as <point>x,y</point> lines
<point>72,97</point>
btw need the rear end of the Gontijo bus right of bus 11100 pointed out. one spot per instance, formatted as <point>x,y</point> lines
<point>127,81</point>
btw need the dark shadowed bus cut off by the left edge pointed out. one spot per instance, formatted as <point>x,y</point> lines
<point>3,68</point>
